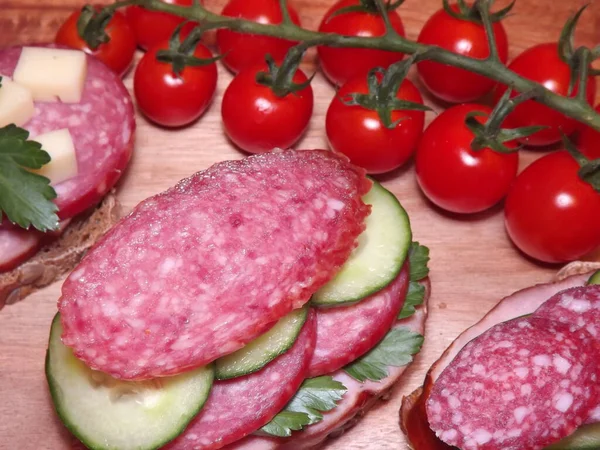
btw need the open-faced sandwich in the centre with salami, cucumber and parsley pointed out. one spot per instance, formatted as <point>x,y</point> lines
<point>261,303</point>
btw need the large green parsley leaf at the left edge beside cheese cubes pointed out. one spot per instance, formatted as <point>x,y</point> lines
<point>25,197</point>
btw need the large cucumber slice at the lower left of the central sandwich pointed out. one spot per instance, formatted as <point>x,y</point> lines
<point>105,413</point>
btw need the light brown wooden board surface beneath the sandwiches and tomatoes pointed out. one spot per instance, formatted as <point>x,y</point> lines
<point>473,263</point>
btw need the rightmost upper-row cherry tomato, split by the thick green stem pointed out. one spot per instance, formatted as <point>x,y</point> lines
<point>542,64</point>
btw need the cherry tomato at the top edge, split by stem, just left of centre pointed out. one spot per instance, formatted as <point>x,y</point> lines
<point>244,50</point>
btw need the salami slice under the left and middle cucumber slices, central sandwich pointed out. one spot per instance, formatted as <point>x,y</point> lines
<point>240,406</point>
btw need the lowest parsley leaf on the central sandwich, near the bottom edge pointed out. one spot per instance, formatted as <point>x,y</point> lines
<point>315,396</point>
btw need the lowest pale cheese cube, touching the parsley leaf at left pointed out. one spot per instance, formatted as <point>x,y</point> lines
<point>59,146</point>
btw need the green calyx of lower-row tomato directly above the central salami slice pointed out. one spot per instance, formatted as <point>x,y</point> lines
<point>280,78</point>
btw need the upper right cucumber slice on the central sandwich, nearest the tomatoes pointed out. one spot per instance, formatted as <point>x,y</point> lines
<point>379,257</point>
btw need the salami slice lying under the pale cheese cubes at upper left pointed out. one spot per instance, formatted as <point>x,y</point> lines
<point>102,126</point>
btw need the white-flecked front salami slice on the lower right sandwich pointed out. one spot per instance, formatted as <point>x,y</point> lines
<point>522,385</point>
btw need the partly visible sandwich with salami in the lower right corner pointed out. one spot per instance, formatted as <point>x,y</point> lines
<point>526,377</point>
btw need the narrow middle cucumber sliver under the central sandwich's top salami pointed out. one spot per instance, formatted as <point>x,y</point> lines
<point>264,349</point>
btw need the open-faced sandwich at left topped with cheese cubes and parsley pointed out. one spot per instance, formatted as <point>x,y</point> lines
<point>83,117</point>
